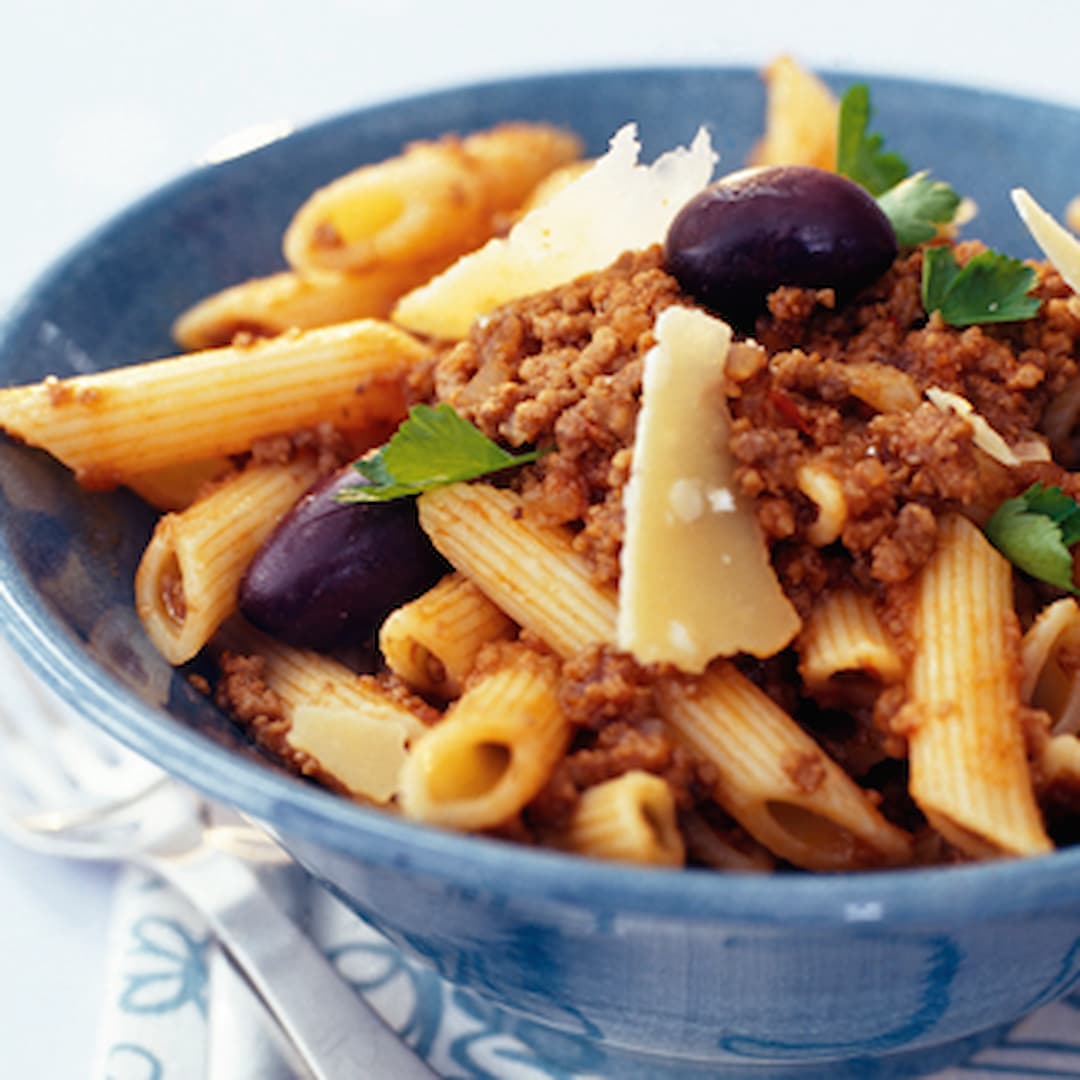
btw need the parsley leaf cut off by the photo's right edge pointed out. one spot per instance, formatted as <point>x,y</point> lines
<point>1035,532</point>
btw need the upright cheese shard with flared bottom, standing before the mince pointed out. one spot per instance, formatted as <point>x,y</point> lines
<point>696,582</point>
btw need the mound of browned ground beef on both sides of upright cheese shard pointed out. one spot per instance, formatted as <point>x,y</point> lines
<point>563,369</point>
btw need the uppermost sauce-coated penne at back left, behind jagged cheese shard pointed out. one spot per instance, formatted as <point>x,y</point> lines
<point>436,201</point>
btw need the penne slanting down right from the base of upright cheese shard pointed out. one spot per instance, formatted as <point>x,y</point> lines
<point>775,780</point>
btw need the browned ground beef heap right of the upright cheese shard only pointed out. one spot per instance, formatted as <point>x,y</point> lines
<point>899,468</point>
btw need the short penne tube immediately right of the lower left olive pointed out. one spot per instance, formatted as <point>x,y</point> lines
<point>433,643</point>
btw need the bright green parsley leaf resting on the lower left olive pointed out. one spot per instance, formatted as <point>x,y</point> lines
<point>431,449</point>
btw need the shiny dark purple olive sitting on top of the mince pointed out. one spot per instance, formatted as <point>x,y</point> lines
<point>785,225</point>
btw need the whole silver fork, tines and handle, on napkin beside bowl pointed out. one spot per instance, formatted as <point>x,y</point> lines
<point>69,790</point>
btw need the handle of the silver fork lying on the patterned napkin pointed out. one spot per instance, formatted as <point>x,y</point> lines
<point>334,1031</point>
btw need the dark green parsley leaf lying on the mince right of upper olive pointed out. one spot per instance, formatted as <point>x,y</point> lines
<point>991,289</point>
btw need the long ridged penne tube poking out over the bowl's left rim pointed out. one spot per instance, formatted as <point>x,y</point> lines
<point>116,425</point>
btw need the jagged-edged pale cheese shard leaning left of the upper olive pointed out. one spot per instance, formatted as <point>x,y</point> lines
<point>617,206</point>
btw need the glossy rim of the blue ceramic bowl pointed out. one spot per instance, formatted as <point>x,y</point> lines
<point>910,898</point>
